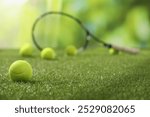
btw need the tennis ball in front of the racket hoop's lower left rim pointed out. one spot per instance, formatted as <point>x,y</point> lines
<point>48,53</point>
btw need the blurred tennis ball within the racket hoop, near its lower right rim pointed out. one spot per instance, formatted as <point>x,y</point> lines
<point>71,50</point>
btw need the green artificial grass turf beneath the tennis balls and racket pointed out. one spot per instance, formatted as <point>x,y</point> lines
<point>93,74</point>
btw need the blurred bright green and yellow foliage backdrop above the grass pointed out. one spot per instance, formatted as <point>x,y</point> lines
<point>121,22</point>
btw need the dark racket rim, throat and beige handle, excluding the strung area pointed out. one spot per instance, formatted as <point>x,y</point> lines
<point>88,37</point>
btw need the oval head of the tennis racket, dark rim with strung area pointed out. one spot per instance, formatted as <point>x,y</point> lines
<point>58,31</point>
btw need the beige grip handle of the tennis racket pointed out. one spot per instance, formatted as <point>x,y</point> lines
<point>127,50</point>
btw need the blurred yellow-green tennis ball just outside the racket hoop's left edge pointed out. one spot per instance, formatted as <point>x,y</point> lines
<point>26,50</point>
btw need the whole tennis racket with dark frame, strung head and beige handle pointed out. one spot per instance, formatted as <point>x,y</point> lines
<point>51,24</point>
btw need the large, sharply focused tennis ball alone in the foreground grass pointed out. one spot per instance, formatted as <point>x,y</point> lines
<point>20,71</point>
